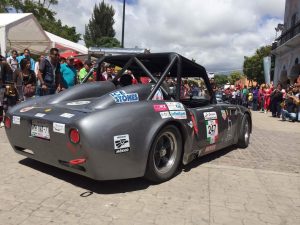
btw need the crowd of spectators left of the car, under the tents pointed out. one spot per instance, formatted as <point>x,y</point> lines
<point>21,77</point>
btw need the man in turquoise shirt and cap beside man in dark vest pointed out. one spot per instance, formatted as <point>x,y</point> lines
<point>68,73</point>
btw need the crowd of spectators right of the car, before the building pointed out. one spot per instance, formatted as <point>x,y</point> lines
<point>281,102</point>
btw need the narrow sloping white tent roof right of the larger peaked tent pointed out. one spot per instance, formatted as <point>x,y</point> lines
<point>67,44</point>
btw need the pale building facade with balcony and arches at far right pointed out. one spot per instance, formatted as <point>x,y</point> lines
<point>287,46</point>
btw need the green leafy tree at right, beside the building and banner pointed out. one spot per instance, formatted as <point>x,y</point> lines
<point>253,65</point>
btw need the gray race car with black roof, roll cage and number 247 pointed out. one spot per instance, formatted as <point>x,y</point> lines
<point>111,130</point>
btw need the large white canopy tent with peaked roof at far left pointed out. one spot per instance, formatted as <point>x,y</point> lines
<point>22,30</point>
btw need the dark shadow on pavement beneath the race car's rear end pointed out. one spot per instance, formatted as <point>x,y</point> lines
<point>99,187</point>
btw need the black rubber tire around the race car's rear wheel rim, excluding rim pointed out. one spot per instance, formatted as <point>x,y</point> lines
<point>151,173</point>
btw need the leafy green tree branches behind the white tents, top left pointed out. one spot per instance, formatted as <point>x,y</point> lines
<point>46,17</point>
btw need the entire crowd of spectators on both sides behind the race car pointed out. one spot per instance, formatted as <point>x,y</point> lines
<point>22,78</point>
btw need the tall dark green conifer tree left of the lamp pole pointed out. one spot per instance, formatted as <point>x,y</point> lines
<point>99,32</point>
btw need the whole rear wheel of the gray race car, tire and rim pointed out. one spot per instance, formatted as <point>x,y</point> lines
<point>165,154</point>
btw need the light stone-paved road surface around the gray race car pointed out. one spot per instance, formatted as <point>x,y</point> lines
<point>257,185</point>
